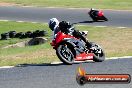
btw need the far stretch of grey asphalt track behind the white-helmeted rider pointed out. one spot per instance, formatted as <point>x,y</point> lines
<point>116,18</point>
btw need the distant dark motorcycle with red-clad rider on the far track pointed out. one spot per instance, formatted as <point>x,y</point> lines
<point>97,15</point>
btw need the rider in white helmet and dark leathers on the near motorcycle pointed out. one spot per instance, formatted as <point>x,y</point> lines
<point>66,28</point>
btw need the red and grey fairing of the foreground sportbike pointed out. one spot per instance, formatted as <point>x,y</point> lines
<point>78,44</point>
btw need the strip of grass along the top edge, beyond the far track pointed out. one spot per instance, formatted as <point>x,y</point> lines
<point>103,4</point>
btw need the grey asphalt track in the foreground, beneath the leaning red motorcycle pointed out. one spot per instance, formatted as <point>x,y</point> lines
<point>62,76</point>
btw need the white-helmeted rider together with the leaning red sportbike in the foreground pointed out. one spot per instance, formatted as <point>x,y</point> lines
<point>71,45</point>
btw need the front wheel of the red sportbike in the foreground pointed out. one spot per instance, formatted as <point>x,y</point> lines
<point>66,53</point>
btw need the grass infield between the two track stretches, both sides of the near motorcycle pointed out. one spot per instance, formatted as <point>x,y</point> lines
<point>116,42</point>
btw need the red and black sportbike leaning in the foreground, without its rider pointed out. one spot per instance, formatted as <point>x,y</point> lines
<point>70,49</point>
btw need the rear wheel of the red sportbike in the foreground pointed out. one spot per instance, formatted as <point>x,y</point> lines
<point>98,57</point>
